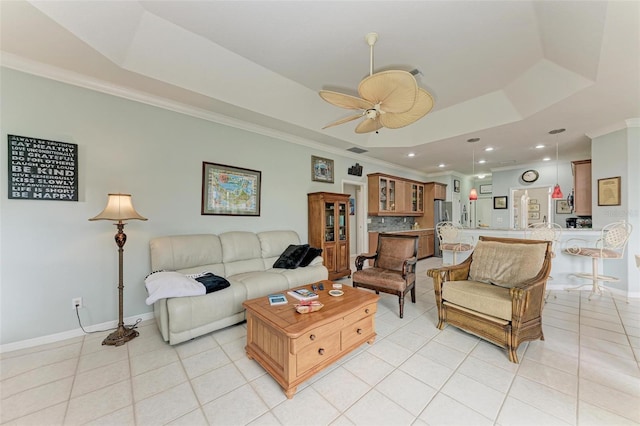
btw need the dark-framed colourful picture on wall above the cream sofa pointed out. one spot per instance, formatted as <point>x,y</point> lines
<point>231,191</point>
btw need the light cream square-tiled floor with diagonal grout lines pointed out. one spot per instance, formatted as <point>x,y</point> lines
<point>585,373</point>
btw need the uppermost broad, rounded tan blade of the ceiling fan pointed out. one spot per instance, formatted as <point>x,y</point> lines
<point>395,91</point>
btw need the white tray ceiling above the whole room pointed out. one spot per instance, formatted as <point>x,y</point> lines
<point>506,72</point>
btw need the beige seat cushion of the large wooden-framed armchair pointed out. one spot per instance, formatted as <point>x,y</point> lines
<point>479,296</point>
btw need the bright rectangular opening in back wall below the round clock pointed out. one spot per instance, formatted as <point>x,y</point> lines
<point>530,205</point>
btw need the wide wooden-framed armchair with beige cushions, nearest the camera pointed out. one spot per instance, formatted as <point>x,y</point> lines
<point>497,293</point>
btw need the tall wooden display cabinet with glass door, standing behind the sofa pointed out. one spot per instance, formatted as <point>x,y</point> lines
<point>329,230</point>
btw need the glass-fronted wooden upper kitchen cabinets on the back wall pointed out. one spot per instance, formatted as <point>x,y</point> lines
<point>394,196</point>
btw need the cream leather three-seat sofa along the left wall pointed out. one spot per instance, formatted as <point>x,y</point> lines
<point>245,259</point>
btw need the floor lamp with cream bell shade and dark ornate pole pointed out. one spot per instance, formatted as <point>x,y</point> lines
<point>119,208</point>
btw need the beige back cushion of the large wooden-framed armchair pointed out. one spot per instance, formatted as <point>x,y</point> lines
<point>506,265</point>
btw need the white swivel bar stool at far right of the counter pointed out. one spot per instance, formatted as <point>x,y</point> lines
<point>610,245</point>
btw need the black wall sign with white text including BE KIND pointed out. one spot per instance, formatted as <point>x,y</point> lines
<point>41,169</point>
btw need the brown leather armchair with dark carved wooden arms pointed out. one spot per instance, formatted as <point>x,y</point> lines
<point>394,267</point>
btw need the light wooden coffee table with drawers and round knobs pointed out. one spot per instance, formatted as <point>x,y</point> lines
<point>292,347</point>
